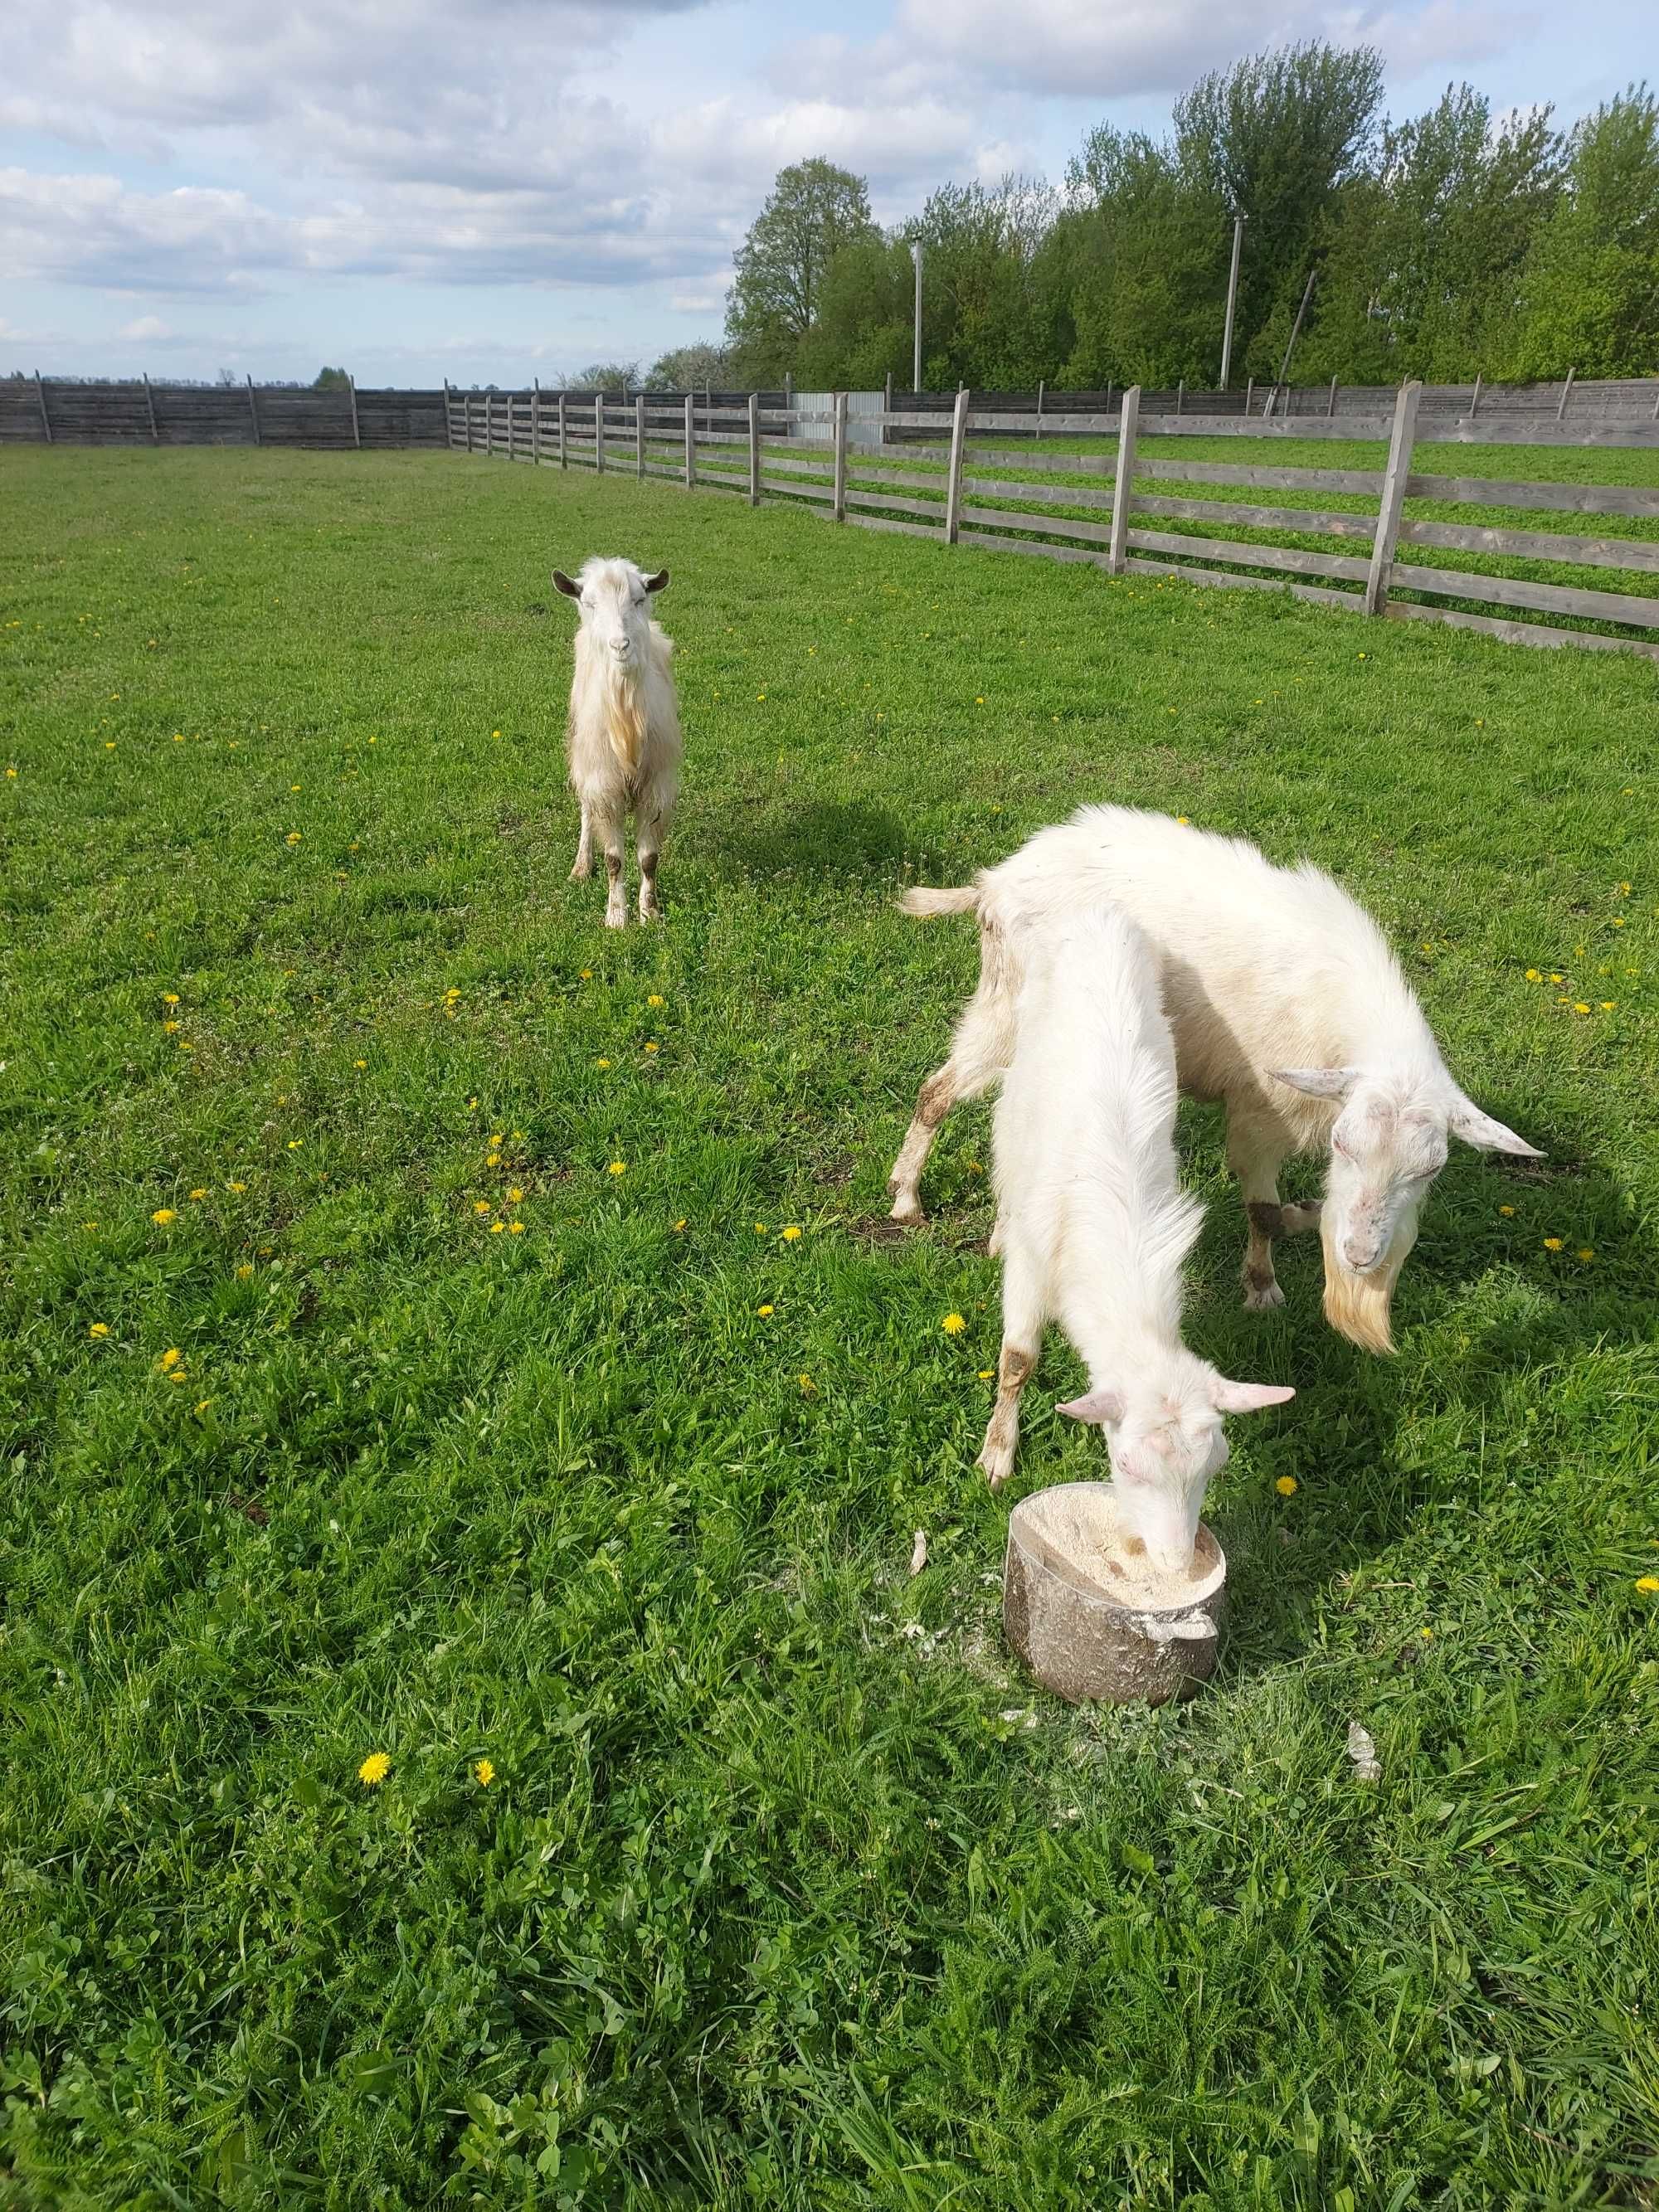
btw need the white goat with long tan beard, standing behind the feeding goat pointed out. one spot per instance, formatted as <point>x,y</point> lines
<point>1286,1003</point>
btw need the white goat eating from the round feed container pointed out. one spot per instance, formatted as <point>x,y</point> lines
<point>1094,1227</point>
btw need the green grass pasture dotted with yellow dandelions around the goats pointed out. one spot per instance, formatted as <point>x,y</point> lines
<point>408,1353</point>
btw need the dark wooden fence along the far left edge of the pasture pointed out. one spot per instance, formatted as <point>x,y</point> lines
<point>61,413</point>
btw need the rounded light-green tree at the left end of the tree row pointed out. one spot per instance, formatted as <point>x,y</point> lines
<point>811,213</point>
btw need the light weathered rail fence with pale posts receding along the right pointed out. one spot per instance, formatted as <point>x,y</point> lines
<point>1107,510</point>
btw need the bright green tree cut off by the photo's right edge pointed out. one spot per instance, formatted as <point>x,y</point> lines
<point>1592,286</point>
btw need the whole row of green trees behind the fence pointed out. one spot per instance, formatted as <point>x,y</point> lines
<point>1443,247</point>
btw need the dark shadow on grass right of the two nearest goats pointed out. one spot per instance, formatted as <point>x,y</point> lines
<point>1359,1492</point>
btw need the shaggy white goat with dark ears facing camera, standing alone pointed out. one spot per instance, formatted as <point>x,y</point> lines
<point>625,727</point>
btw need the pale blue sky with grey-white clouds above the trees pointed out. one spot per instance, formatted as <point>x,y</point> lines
<point>521,187</point>
